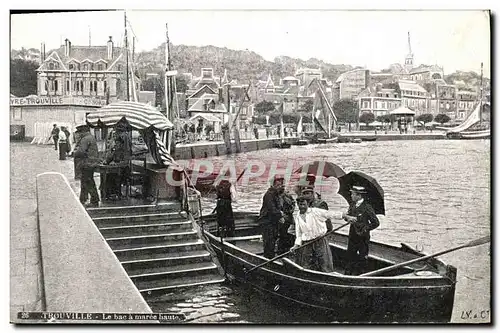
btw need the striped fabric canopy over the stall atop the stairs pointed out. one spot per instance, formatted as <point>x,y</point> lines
<point>142,117</point>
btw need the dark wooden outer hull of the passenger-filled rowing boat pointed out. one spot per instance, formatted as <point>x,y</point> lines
<point>340,298</point>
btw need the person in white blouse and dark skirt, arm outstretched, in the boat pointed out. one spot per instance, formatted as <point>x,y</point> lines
<point>310,226</point>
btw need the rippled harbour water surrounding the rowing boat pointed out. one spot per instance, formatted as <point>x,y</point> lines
<point>437,196</point>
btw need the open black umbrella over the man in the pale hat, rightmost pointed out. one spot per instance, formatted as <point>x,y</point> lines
<point>374,195</point>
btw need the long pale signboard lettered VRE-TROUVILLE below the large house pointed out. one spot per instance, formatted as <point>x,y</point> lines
<point>56,100</point>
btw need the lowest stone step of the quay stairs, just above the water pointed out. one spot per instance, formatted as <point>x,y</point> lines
<point>154,288</point>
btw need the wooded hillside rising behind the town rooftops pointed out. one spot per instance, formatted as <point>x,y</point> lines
<point>241,65</point>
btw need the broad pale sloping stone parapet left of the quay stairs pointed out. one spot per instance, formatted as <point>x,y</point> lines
<point>80,273</point>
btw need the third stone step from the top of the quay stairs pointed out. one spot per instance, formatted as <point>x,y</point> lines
<point>146,229</point>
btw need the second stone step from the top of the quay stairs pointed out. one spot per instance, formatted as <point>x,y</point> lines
<point>138,218</point>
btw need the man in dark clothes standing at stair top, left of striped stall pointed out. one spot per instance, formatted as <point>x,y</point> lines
<point>87,152</point>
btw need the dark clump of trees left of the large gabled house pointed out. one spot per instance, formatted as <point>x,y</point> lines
<point>23,78</point>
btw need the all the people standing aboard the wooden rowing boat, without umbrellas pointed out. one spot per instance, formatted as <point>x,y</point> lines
<point>286,229</point>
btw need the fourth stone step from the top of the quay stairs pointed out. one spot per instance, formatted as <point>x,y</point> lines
<point>119,243</point>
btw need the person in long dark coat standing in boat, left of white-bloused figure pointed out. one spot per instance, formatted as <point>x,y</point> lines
<point>271,215</point>
